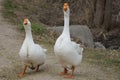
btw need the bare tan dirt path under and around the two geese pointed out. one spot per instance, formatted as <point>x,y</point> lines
<point>11,39</point>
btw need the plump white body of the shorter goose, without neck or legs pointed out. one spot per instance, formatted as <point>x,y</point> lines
<point>32,54</point>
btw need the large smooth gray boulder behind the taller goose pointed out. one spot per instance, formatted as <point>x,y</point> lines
<point>81,32</point>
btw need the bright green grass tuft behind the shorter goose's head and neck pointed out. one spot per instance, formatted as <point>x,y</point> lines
<point>37,28</point>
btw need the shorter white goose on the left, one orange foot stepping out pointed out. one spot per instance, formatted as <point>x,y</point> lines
<point>32,54</point>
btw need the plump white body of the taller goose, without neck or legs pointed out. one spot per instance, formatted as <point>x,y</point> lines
<point>68,52</point>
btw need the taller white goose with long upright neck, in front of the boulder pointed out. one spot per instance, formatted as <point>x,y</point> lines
<point>68,52</point>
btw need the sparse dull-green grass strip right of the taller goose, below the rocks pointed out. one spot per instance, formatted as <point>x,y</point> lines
<point>109,58</point>
